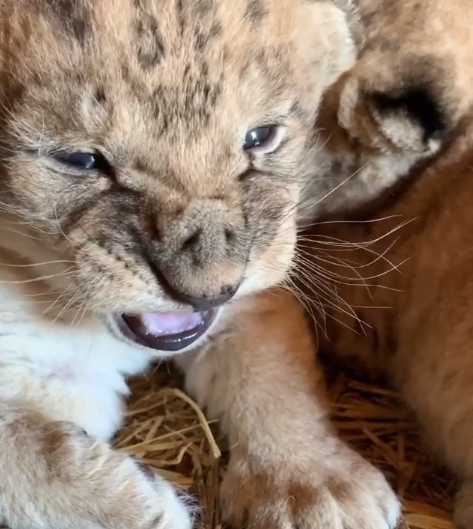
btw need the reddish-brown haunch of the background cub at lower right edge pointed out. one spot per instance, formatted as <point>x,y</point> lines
<point>434,370</point>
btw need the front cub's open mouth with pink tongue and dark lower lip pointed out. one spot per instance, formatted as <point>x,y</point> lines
<point>164,333</point>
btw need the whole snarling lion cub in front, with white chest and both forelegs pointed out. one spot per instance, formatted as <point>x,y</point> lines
<point>153,158</point>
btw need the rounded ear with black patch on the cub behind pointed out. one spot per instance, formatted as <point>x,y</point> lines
<point>392,103</point>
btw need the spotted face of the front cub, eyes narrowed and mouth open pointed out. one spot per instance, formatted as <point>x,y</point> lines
<point>164,144</point>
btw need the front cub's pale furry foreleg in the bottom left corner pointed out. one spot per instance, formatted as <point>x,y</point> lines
<point>54,475</point>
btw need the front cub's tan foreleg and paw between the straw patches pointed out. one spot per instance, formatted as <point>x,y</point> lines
<point>287,468</point>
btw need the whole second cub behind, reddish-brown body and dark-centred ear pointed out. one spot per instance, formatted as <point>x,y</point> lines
<point>393,276</point>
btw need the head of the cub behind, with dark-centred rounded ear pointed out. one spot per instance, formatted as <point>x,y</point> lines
<point>419,48</point>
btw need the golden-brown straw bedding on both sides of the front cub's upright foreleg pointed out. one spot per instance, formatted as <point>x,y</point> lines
<point>167,430</point>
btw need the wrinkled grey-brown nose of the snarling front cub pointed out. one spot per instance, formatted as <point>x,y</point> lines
<point>201,253</point>
